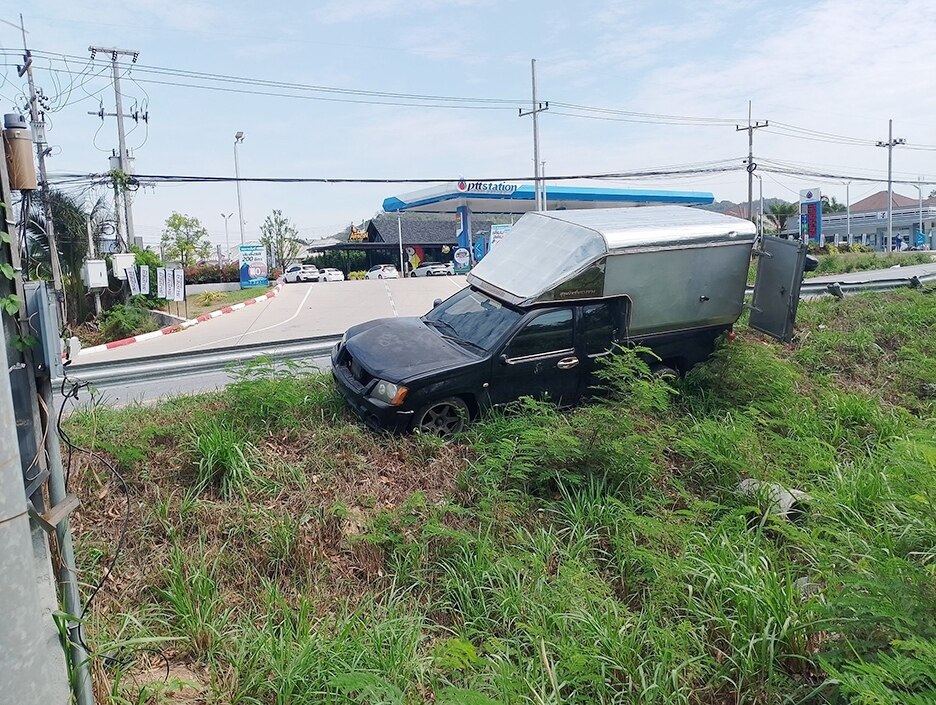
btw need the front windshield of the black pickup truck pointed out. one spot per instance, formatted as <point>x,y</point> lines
<point>475,317</point>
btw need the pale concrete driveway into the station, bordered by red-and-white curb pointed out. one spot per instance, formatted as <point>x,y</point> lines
<point>299,311</point>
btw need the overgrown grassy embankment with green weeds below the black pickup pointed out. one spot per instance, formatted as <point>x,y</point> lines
<point>287,555</point>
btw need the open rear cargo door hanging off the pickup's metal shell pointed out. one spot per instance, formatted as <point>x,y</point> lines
<point>780,266</point>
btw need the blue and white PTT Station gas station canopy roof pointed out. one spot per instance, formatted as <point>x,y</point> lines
<point>499,197</point>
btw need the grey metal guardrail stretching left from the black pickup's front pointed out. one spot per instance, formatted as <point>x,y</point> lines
<point>199,362</point>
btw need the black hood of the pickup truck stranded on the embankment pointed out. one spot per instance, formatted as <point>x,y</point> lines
<point>398,349</point>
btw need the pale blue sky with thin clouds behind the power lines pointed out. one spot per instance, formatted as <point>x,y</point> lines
<point>841,67</point>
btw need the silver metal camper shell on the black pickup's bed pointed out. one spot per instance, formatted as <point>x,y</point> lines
<point>680,268</point>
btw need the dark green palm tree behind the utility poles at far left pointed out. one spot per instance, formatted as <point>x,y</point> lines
<point>70,218</point>
